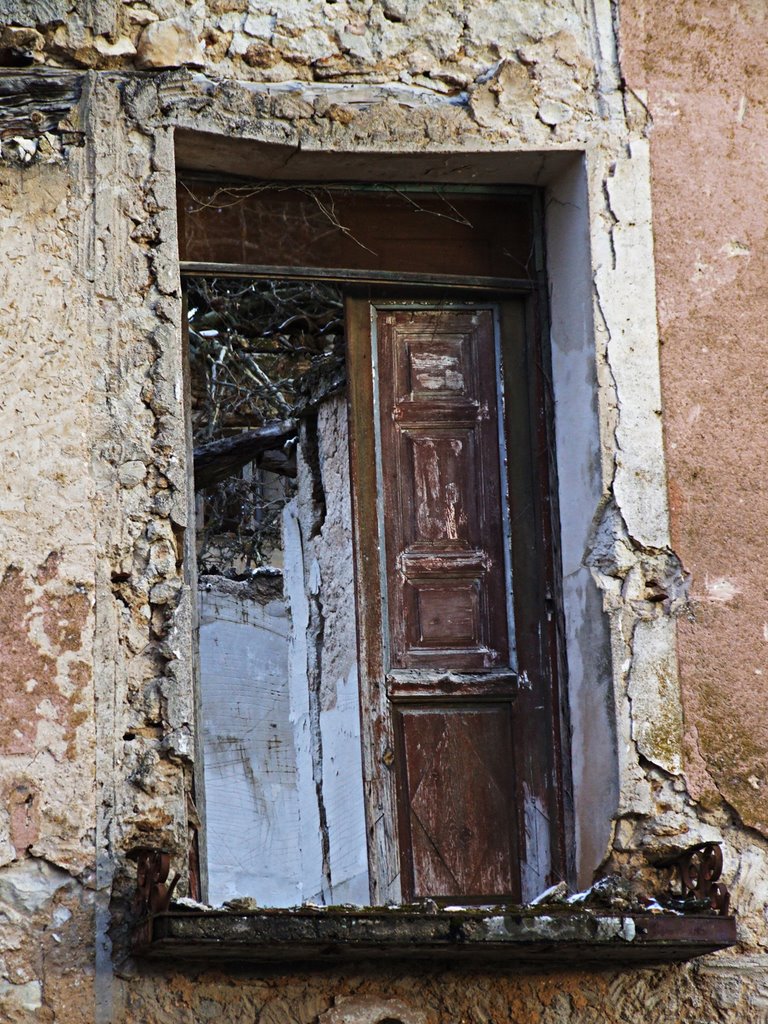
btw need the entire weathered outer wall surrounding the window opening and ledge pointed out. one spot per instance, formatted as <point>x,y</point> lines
<point>639,103</point>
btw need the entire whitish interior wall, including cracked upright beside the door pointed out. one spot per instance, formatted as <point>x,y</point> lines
<point>283,764</point>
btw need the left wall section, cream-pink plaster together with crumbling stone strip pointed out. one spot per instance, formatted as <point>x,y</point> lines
<point>97,737</point>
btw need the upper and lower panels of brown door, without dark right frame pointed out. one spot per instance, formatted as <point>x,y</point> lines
<point>446,664</point>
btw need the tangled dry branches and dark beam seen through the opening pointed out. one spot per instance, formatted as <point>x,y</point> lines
<point>263,354</point>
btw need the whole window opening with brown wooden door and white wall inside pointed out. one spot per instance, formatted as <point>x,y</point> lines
<point>405,745</point>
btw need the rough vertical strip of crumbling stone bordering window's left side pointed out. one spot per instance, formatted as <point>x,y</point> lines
<point>143,602</point>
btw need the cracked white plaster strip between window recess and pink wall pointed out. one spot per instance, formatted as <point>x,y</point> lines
<point>644,583</point>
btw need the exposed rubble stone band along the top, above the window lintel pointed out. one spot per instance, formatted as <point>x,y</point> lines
<point>532,54</point>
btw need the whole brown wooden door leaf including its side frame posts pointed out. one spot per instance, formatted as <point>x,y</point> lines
<point>460,702</point>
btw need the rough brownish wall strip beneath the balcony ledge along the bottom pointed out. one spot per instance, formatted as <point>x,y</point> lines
<point>672,994</point>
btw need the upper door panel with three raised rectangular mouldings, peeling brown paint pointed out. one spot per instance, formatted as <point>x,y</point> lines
<point>446,566</point>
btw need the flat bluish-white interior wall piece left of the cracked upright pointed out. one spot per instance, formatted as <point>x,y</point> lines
<point>250,748</point>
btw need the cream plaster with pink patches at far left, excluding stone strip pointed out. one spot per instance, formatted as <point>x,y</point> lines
<point>48,745</point>
